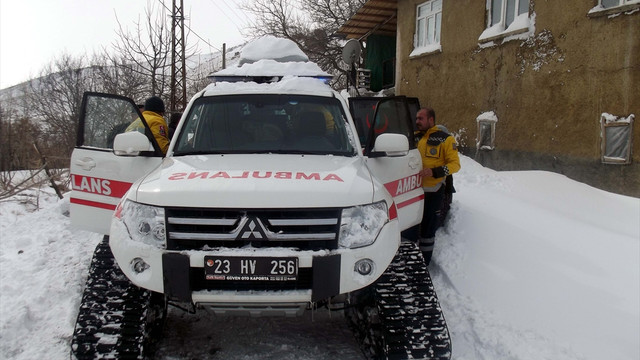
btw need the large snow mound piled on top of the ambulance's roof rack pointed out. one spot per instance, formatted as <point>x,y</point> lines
<point>270,57</point>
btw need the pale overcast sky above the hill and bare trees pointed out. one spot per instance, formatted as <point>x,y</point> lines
<point>35,32</point>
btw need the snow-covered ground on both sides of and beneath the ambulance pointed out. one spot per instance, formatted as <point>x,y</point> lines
<point>531,265</point>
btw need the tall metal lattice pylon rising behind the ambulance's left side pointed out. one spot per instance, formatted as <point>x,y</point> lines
<point>178,63</point>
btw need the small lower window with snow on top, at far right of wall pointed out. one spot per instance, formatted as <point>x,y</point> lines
<point>616,132</point>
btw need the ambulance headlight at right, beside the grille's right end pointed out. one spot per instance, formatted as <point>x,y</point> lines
<point>360,225</point>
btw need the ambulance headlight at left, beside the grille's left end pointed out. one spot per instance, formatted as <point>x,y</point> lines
<point>145,223</point>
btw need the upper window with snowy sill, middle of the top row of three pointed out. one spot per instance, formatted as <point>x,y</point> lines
<point>506,17</point>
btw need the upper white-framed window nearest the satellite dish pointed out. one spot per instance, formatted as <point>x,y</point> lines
<point>428,23</point>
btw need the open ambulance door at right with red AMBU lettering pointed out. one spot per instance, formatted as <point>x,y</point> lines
<point>398,173</point>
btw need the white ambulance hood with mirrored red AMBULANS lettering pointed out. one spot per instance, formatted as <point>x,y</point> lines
<point>257,181</point>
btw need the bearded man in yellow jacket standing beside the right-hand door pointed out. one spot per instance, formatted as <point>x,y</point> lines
<point>439,153</point>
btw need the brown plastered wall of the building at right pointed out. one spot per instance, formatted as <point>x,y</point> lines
<point>548,90</point>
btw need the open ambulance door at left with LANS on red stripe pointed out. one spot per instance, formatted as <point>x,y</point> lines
<point>99,178</point>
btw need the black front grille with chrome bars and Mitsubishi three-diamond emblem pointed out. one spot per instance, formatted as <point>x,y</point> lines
<point>303,229</point>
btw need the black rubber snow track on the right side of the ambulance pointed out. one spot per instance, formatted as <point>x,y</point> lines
<point>399,317</point>
